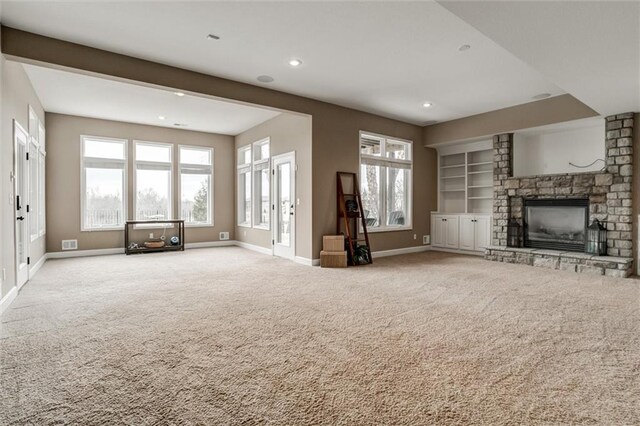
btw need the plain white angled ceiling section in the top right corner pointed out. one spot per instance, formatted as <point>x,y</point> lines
<point>589,48</point>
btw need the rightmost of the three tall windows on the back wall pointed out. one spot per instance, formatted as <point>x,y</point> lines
<point>196,172</point>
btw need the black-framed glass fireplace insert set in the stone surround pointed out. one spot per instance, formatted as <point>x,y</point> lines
<point>556,224</point>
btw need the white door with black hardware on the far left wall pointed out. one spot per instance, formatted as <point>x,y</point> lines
<point>21,188</point>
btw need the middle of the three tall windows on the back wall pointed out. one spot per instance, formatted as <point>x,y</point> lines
<point>154,169</point>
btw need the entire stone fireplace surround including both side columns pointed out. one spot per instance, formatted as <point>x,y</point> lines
<point>609,191</point>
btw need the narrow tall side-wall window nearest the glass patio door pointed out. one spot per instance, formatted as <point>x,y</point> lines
<point>261,210</point>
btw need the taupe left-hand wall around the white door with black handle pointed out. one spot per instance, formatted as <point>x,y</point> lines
<point>17,95</point>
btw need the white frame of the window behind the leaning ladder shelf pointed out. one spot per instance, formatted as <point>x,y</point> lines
<point>382,159</point>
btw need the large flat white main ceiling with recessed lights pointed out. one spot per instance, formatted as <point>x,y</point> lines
<point>387,58</point>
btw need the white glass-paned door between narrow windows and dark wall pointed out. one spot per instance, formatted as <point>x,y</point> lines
<point>284,195</point>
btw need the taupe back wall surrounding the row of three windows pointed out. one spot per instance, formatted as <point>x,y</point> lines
<point>63,178</point>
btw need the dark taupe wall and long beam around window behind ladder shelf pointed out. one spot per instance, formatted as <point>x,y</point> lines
<point>335,129</point>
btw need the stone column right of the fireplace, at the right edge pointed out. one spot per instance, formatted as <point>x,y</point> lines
<point>619,158</point>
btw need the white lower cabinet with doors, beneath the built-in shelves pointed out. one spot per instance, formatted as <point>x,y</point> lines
<point>463,232</point>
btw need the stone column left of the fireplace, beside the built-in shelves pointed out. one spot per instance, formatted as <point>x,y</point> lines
<point>502,170</point>
